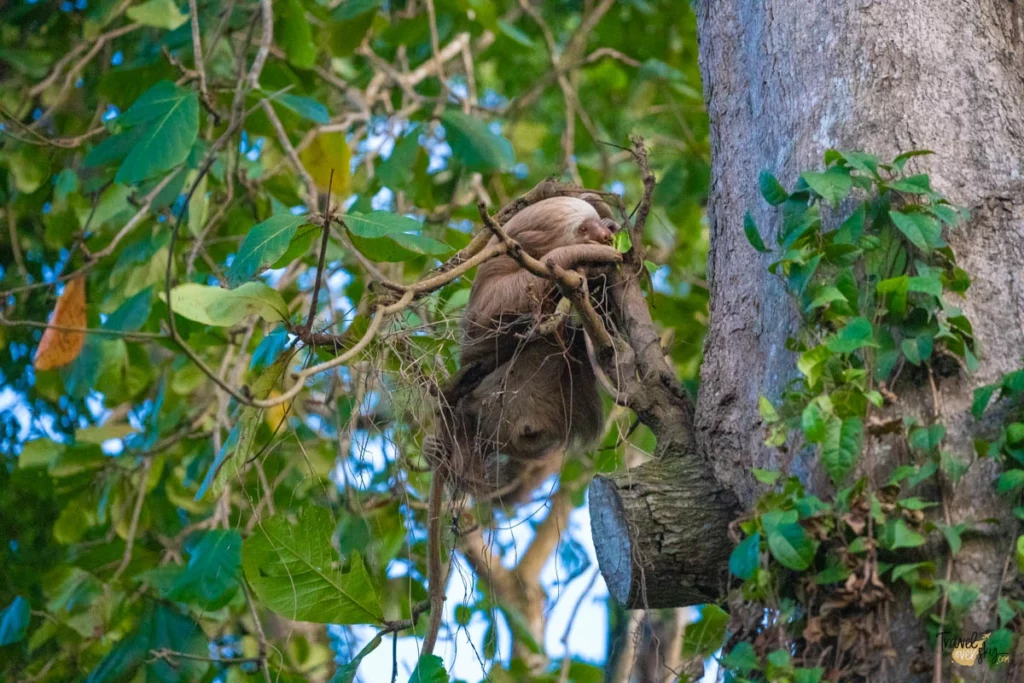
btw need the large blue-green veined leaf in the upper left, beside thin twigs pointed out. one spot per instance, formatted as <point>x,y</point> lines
<point>168,119</point>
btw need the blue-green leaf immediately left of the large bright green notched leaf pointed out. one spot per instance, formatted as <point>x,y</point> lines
<point>211,578</point>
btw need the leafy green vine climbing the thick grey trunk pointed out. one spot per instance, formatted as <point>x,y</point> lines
<point>876,295</point>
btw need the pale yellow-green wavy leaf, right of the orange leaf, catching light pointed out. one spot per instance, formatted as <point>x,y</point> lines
<point>223,309</point>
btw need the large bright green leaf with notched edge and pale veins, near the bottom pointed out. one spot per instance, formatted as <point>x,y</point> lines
<point>294,571</point>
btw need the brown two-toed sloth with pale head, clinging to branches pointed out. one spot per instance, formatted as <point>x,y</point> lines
<point>503,439</point>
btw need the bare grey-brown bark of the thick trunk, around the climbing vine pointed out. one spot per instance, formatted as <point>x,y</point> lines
<point>785,80</point>
